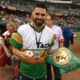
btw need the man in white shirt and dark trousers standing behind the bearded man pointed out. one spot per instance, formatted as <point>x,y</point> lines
<point>58,42</point>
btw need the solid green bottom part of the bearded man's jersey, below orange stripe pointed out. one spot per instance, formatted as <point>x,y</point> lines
<point>33,70</point>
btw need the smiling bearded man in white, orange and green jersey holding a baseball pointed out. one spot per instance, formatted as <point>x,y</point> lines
<point>31,44</point>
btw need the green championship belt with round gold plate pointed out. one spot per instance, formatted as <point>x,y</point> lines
<point>64,59</point>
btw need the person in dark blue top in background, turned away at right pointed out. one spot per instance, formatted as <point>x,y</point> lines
<point>68,35</point>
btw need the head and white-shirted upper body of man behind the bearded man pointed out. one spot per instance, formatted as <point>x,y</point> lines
<point>57,32</point>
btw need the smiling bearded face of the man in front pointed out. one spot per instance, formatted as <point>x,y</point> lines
<point>39,16</point>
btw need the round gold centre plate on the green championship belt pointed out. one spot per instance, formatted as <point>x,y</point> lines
<point>61,56</point>
